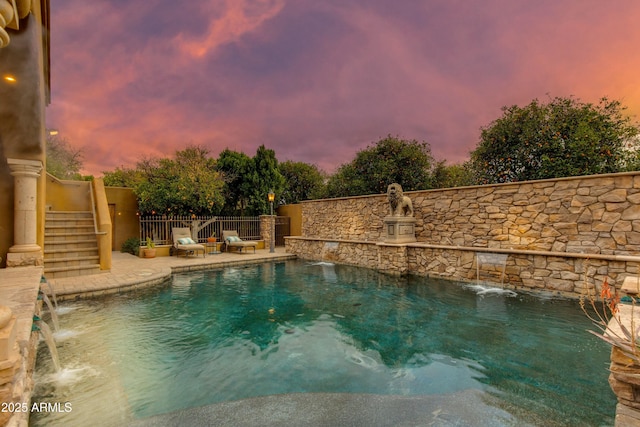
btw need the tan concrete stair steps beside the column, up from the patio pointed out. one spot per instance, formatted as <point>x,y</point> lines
<point>70,244</point>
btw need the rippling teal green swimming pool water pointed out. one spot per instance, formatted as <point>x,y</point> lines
<point>295,326</point>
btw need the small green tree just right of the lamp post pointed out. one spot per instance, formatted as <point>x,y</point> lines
<point>302,181</point>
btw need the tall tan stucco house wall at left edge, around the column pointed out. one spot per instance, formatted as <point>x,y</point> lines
<point>23,93</point>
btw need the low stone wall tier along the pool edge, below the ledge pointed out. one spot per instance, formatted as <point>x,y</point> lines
<point>559,273</point>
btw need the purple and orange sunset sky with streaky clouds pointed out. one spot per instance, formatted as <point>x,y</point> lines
<point>319,80</point>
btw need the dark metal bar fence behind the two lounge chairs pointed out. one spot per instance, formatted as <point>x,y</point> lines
<point>159,227</point>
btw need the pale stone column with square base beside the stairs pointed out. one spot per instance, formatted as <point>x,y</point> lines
<point>25,250</point>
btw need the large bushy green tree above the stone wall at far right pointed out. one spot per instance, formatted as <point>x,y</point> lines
<point>565,137</point>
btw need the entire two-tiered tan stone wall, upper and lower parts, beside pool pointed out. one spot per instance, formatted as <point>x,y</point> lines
<point>558,234</point>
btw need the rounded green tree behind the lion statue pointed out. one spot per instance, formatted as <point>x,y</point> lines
<point>408,163</point>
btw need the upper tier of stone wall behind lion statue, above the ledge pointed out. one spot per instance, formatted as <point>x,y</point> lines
<point>593,214</point>
